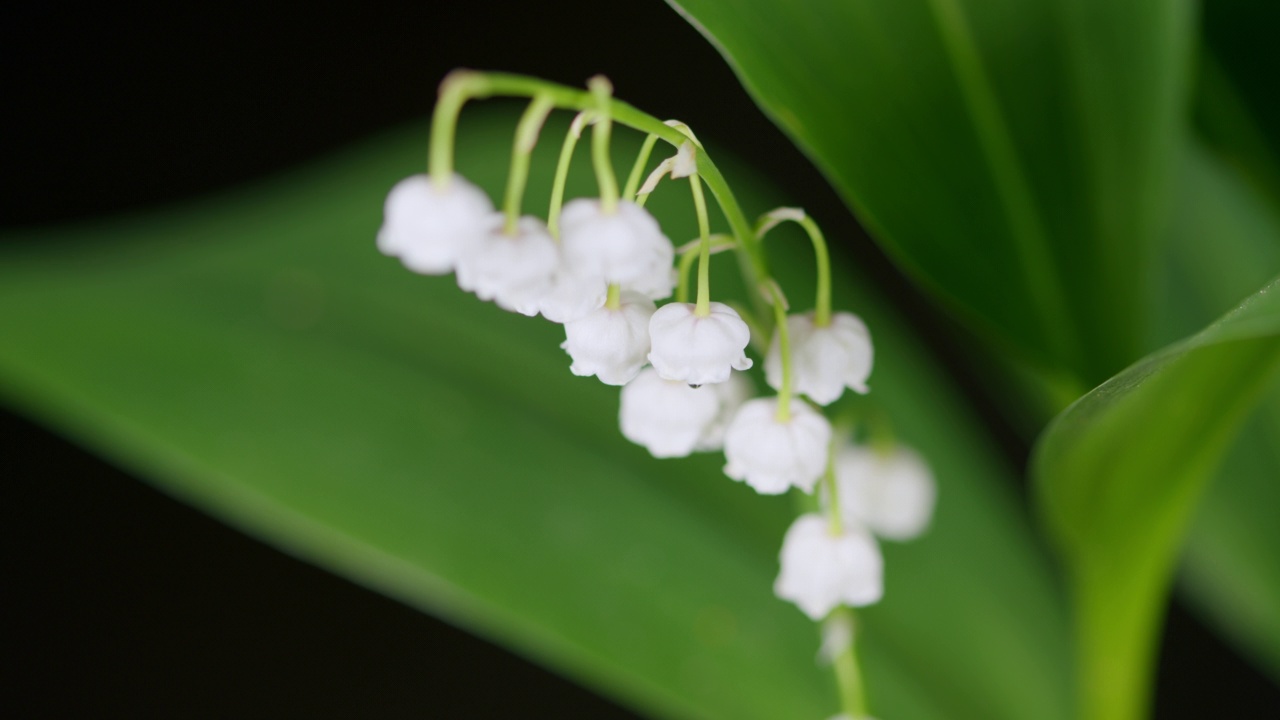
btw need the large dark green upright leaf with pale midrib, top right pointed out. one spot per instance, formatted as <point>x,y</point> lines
<point>1011,156</point>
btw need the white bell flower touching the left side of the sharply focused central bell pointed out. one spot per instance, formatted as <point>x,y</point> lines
<point>611,344</point>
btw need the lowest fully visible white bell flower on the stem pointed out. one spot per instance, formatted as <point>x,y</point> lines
<point>822,571</point>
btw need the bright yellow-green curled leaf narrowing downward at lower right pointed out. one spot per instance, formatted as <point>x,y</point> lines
<point>1118,479</point>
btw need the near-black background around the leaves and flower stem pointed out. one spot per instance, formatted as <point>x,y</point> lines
<point>121,603</point>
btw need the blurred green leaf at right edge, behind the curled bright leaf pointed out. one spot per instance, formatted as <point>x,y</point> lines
<point>1224,240</point>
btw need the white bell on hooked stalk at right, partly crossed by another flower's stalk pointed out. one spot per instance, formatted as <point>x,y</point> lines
<point>824,361</point>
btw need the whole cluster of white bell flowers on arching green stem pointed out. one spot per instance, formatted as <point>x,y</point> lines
<point>604,268</point>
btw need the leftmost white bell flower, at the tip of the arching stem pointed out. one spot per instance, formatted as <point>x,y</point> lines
<point>429,227</point>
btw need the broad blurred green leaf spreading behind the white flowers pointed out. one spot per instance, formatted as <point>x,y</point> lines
<point>255,357</point>
